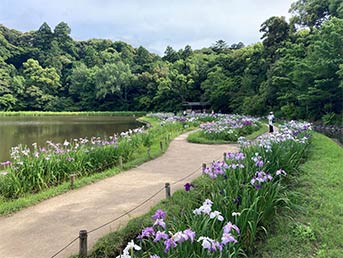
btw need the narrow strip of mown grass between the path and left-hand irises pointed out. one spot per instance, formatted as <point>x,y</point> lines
<point>137,156</point>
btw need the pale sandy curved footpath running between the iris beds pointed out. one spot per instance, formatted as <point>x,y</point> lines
<point>42,230</point>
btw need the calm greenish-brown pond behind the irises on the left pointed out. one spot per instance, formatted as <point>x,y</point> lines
<point>25,130</point>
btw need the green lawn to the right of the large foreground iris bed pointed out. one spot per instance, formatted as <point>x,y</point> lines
<point>315,227</point>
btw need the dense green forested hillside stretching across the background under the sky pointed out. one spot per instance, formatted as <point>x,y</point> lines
<point>296,71</point>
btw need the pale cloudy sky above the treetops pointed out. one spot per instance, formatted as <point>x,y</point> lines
<point>153,24</point>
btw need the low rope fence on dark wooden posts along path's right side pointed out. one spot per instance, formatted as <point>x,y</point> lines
<point>83,234</point>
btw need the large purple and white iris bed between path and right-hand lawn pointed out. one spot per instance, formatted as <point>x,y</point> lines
<point>233,203</point>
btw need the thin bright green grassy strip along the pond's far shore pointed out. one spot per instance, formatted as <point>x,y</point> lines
<point>84,113</point>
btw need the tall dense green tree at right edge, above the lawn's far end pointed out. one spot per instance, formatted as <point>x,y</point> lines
<point>323,61</point>
